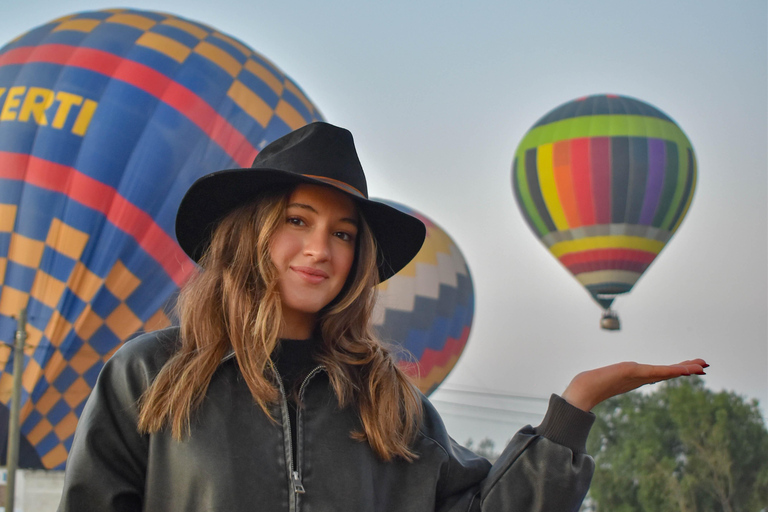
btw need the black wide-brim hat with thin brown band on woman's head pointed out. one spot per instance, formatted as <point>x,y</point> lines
<point>316,154</point>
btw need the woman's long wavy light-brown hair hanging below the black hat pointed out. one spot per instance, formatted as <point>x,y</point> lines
<point>232,303</point>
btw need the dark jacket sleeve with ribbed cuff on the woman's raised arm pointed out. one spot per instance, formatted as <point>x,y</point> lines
<point>542,469</point>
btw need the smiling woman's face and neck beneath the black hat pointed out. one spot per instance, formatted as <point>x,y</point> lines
<point>313,251</point>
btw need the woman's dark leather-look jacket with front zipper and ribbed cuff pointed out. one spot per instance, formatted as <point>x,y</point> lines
<point>236,459</point>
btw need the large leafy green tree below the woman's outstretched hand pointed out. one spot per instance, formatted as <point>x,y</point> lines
<point>682,448</point>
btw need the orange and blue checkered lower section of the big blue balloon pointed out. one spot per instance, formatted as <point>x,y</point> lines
<point>64,353</point>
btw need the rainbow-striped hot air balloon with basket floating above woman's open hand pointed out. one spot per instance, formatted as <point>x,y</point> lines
<point>604,182</point>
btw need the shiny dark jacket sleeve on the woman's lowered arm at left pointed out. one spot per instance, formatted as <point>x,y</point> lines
<point>107,462</point>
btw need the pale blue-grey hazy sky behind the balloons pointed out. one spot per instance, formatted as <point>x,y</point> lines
<point>439,93</point>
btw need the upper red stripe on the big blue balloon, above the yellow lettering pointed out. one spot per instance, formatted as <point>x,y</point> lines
<point>173,94</point>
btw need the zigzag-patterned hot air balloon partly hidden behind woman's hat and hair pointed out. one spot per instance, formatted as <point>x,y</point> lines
<point>425,311</point>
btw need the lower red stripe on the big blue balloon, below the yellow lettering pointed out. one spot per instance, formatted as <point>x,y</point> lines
<point>105,199</point>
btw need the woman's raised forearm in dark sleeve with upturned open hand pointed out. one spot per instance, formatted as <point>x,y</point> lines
<point>547,467</point>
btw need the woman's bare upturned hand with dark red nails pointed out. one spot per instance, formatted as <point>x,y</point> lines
<point>589,388</point>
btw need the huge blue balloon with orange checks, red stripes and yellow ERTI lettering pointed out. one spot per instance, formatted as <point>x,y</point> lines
<point>106,118</point>
